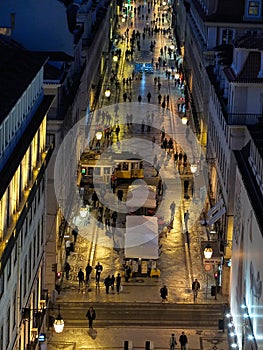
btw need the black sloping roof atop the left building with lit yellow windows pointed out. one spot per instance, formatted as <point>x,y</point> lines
<point>17,70</point>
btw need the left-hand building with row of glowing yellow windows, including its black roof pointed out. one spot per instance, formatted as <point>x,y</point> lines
<point>23,158</point>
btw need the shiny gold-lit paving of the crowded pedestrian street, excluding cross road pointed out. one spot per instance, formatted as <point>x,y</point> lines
<point>181,259</point>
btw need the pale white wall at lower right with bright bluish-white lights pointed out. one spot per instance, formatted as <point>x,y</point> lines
<point>247,273</point>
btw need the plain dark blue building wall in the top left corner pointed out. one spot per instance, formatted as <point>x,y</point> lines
<point>39,25</point>
